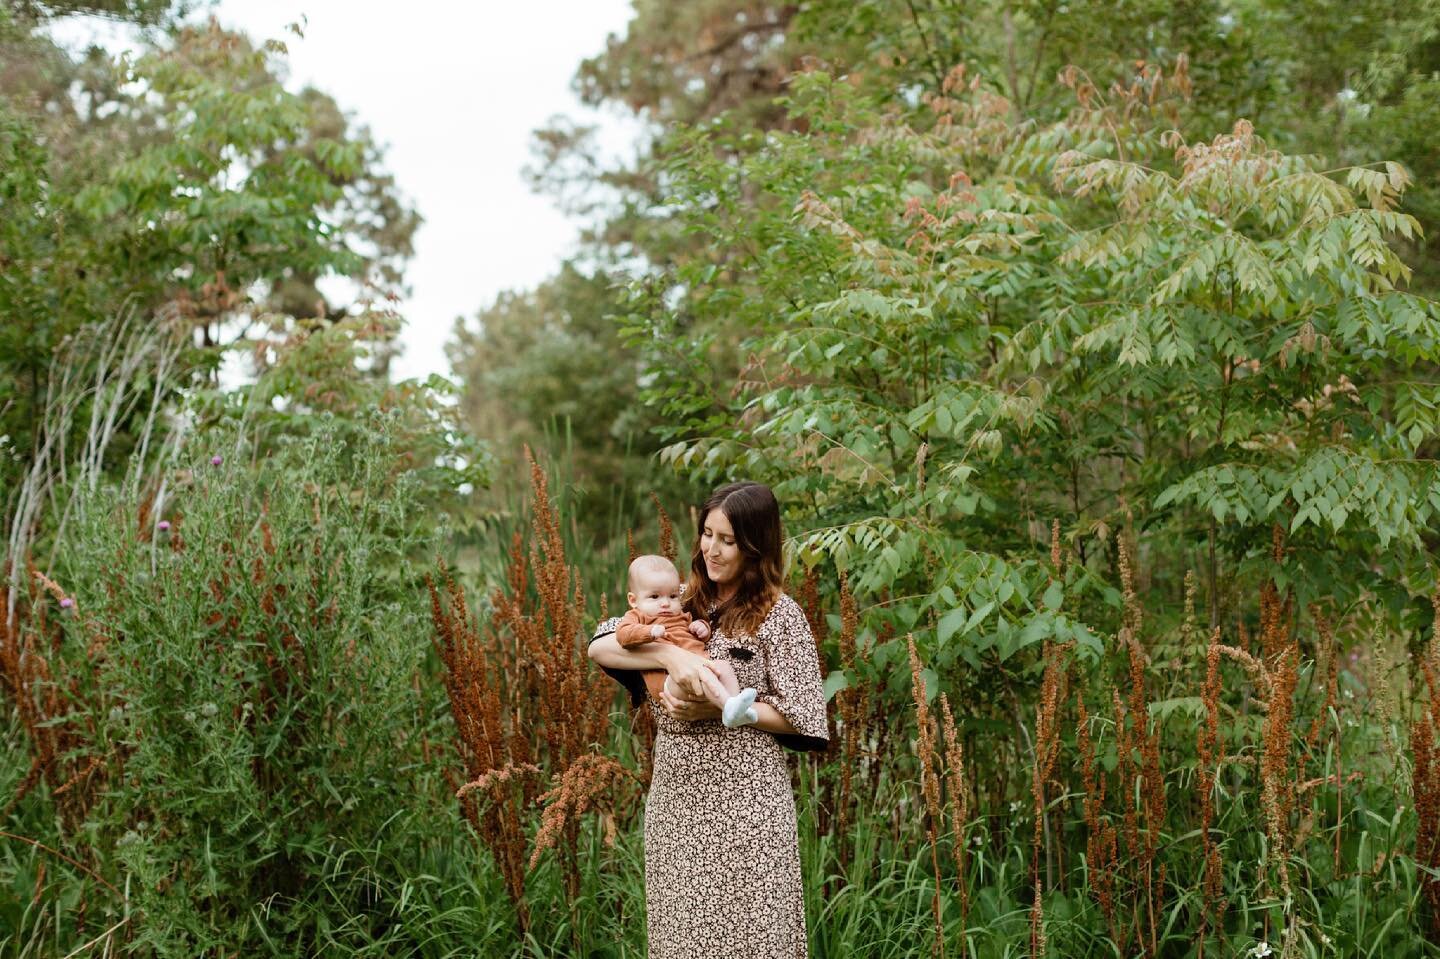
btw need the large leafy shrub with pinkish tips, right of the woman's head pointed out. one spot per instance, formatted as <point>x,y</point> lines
<point>954,342</point>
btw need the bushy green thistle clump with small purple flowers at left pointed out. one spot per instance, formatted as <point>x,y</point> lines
<point>254,682</point>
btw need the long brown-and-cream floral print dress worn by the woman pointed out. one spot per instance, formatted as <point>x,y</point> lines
<point>722,852</point>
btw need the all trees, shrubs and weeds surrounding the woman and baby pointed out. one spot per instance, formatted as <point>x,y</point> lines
<point>1092,349</point>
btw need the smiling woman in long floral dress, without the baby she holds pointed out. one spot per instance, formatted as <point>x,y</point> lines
<point>722,855</point>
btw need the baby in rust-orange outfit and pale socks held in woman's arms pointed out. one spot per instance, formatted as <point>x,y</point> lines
<point>656,617</point>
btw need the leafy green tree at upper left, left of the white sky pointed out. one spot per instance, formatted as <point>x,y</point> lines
<point>189,185</point>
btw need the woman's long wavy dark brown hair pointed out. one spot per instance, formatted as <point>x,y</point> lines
<point>755,518</point>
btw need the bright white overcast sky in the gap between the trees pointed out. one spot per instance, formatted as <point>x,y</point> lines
<point>454,90</point>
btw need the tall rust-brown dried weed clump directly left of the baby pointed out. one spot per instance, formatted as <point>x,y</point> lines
<point>526,702</point>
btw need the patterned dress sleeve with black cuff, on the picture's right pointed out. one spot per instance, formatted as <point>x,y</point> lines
<point>793,669</point>
